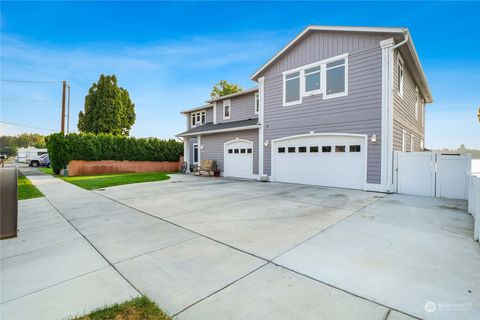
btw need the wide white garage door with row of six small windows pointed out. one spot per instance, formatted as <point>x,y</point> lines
<point>321,159</point>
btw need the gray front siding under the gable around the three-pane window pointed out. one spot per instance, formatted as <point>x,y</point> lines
<point>359,112</point>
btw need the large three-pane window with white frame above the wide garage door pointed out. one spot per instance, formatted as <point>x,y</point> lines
<point>329,77</point>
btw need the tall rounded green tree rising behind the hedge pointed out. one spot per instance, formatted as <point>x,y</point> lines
<point>108,109</point>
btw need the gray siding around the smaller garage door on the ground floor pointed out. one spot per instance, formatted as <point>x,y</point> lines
<point>213,146</point>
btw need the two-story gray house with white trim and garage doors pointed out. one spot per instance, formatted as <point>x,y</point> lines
<point>330,109</point>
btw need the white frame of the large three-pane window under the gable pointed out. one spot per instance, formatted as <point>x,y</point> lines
<point>323,79</point>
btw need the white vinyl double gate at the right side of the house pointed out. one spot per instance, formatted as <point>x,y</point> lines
<point>432,174</point>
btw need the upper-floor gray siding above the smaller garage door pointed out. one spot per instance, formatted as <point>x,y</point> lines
<point>241,108</point>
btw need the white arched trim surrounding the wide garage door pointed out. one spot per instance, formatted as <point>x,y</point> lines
<point>363,137</point>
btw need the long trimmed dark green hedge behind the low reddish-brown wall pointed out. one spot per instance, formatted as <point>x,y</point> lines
<point>62,149</point>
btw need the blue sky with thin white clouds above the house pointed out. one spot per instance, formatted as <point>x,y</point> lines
<point>168,55</point>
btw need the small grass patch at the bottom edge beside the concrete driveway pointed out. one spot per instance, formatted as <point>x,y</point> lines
<point>137,309</point>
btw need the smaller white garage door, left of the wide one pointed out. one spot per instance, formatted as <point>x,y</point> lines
<point>238,159</point>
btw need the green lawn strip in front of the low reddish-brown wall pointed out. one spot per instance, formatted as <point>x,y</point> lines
<point>110,180</point>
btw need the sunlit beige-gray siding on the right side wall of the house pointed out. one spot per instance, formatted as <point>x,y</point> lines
<point>404,111</point>
